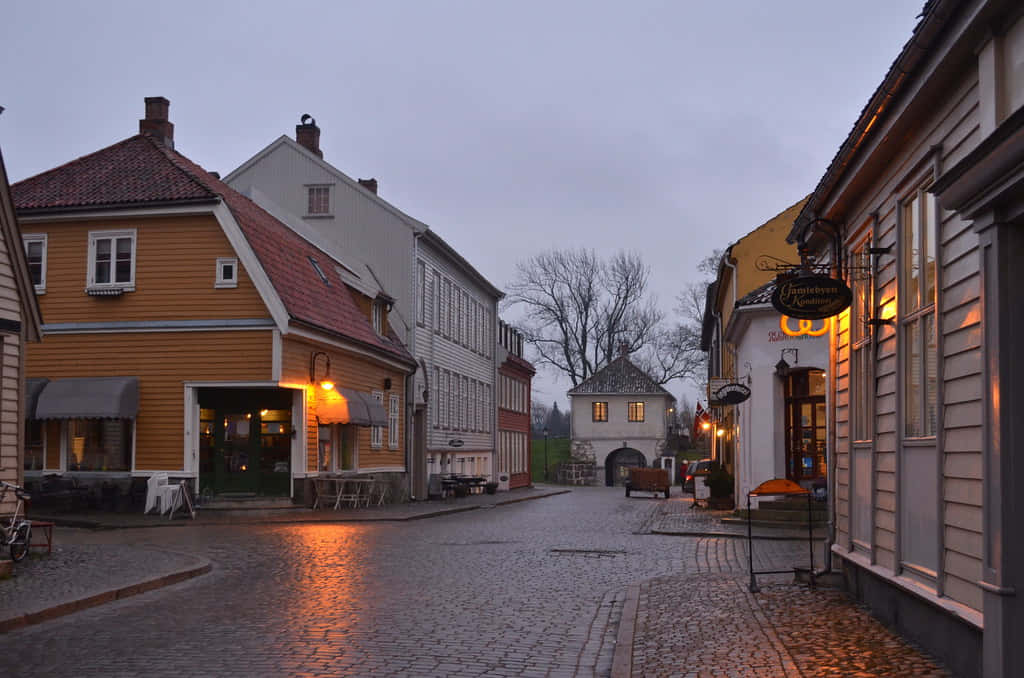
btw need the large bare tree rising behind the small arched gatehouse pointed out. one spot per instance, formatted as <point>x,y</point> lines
<point>582,311</point>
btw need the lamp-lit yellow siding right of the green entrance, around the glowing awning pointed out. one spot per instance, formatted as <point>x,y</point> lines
<point>349,370</point>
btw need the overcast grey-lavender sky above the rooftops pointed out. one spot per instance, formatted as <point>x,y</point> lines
<point>670,129</point>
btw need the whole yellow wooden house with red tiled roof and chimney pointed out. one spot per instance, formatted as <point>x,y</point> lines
<point>190,332</point>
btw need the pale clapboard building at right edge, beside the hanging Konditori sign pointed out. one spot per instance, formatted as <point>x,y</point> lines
<point>923,213</point>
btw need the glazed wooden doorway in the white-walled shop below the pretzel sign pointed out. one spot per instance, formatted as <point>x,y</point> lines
<point>805,427</point>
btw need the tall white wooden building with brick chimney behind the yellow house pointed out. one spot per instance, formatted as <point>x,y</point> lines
<point>443,309</point>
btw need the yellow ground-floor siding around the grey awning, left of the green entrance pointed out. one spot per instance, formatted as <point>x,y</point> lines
<point>162,361</point>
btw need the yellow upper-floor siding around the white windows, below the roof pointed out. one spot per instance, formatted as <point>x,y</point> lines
<point>176,272</point>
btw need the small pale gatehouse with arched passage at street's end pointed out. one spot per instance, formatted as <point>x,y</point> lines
<point>620,419</point>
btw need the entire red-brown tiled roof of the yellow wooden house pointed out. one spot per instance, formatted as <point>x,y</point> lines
<point>165,176</point>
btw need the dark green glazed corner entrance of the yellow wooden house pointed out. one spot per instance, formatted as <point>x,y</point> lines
<point>245,442</point>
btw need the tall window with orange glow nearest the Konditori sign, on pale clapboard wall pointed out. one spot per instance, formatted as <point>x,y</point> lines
<point>863,385</point>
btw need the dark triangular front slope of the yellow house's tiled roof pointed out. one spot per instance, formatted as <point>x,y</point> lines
<point>131,173</point>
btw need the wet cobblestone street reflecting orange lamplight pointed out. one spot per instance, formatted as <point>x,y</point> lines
<point>531,589</point>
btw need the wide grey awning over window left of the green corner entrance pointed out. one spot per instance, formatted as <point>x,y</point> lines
<point>90,398</point>
